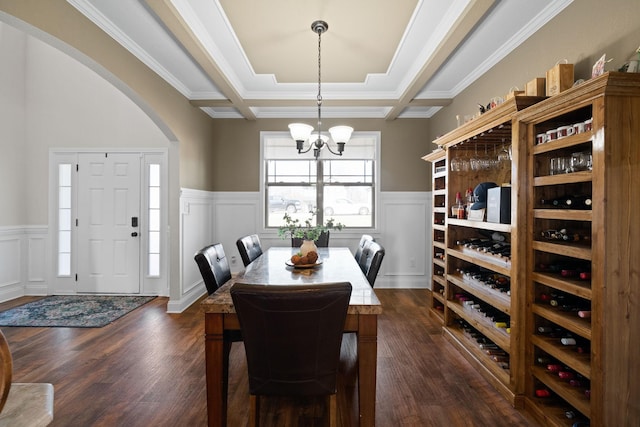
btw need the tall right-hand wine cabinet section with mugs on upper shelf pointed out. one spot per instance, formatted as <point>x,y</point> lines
<point>596,269</point>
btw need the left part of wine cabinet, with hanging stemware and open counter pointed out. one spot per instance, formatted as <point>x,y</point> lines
<point>483,303</point>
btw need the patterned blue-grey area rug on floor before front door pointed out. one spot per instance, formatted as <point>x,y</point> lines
<point>72,311</point>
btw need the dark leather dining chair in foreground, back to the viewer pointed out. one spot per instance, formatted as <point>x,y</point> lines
<point>292,337</point>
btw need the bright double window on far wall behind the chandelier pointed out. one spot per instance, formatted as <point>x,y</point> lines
<point>338,187</point>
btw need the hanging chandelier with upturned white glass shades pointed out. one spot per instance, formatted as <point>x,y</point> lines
<point>302,132</point>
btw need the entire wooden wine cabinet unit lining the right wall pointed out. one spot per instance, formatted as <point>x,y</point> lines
<point>596,270</point>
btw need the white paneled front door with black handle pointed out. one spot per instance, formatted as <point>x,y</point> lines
<point>108,223</point>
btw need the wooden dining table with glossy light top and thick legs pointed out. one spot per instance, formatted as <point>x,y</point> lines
<point>335,265</point>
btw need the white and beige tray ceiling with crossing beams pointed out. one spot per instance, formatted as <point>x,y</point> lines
<point>380,58</point>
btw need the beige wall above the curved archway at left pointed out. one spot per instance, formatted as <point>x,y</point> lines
<point>182,122</point>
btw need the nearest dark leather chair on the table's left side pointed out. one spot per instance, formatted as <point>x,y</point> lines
<point>215,272</point>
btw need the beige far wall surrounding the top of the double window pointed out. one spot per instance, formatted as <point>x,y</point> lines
<point>236,152</point>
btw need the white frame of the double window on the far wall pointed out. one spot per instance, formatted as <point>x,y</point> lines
<point>375,186</point>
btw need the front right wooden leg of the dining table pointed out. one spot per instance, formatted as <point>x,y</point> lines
<point>367,365</point>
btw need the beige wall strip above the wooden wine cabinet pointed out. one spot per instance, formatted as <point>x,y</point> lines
<point>581,33</point>
